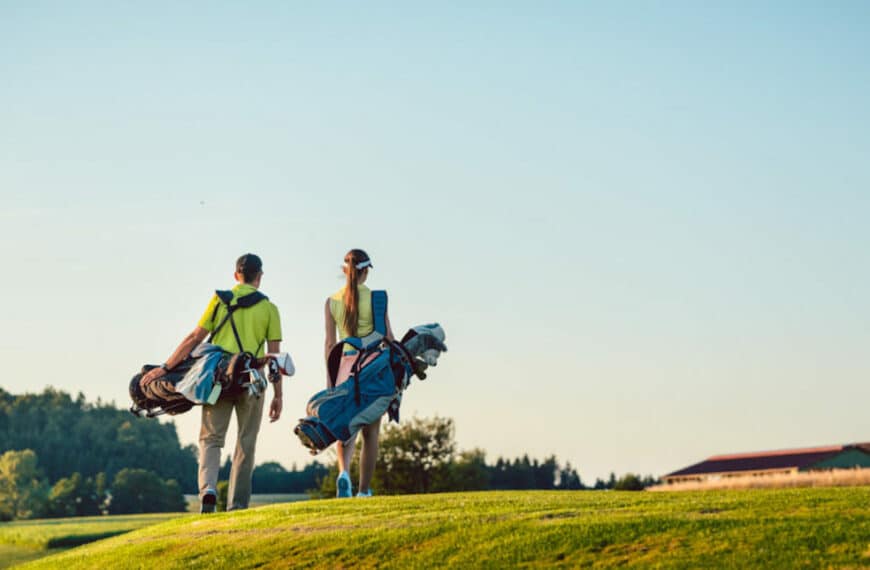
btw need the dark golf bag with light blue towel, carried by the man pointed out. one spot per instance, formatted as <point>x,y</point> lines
<point>208,372</point>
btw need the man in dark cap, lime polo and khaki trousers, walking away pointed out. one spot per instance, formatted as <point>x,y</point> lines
<point>247,330</point>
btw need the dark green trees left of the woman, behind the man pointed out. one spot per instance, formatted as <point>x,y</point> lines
<point>62,456</point>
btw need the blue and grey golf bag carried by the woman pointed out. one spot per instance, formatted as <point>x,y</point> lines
<point>380,373</point>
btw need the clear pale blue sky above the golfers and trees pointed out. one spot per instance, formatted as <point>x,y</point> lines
<point>643,225</point>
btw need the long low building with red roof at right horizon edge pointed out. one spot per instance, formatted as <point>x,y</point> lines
<point>775,462</point>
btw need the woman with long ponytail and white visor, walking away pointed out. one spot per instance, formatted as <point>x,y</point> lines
<point>350,311</point>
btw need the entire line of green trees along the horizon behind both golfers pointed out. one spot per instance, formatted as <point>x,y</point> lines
<point>63,456</point>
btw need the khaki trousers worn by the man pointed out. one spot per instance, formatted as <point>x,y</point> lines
<point>212,435</point>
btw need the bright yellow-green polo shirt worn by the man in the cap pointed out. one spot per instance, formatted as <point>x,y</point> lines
<point>255,324</point>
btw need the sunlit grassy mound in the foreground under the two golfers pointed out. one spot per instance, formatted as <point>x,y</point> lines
<point>785,528</point>
